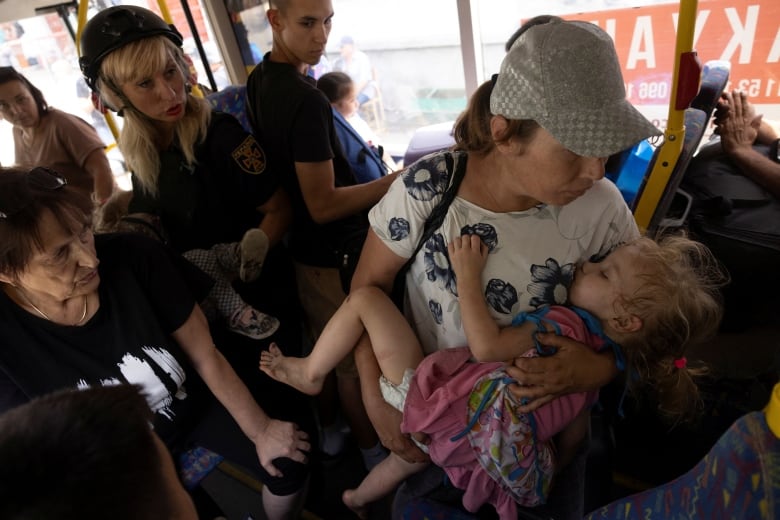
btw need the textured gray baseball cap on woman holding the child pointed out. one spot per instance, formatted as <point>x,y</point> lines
<point>565,76</point>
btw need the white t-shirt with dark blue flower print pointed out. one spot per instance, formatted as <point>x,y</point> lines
<point>532,254</point>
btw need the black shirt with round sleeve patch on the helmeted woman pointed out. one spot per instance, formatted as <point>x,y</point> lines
<point>217,200</point>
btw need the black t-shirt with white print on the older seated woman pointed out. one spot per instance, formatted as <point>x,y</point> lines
<point>143,299</point>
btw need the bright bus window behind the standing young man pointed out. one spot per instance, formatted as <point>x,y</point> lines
<point>414,53</point>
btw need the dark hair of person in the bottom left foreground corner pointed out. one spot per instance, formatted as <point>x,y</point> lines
<point>88,454</point>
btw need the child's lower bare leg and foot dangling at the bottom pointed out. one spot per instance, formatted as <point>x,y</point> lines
<point>379,482</point>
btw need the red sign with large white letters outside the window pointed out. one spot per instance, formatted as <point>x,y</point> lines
<point>745,33</point>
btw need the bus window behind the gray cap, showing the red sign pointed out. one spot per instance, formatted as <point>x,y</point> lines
<point>741,32</point>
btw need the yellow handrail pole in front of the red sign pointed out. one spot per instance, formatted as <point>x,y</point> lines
<point>674,135</point>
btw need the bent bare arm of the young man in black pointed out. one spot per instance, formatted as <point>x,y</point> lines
<point>326,202</point>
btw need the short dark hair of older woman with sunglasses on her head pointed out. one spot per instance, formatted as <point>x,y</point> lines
<point>20,233</point>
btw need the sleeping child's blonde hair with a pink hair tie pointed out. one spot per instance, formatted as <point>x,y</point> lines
<point>680,304</point>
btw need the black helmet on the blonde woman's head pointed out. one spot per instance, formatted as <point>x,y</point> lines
<point>115,27</point>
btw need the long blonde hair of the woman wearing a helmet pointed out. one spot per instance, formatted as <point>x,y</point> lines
<point>136,60</point>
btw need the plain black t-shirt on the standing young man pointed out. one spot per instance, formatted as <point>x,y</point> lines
<point>294,121</point>
